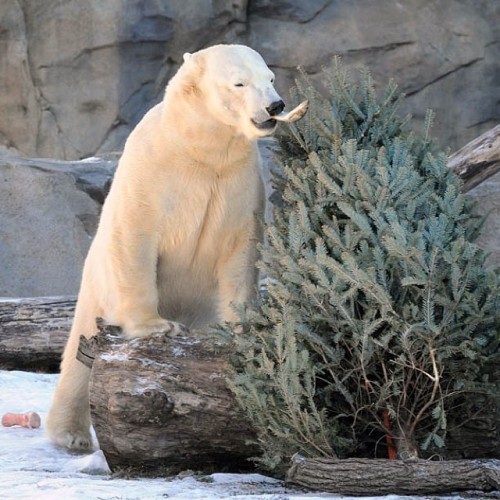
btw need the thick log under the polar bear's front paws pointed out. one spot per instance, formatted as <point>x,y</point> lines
<point>161,403</point>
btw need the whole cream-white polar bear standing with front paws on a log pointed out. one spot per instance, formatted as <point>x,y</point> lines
<point>176,243</point>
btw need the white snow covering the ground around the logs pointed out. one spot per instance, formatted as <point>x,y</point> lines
<point>32,468</point>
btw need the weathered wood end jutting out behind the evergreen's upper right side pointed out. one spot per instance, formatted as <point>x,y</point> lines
<point>478,160</point>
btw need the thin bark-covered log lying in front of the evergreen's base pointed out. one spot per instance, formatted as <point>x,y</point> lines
<point>384,477</point>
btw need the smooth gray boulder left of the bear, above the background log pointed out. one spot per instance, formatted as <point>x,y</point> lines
<point>48,215</point>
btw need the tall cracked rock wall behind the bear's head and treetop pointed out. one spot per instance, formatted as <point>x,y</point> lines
<point>75,76</point>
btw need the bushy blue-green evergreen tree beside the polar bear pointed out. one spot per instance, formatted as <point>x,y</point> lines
<point>378,310</point>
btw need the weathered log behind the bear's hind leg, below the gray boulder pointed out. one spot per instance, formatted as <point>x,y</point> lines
<point>33,332</point>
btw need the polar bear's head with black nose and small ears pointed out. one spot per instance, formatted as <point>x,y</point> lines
<point>235,86</point>
